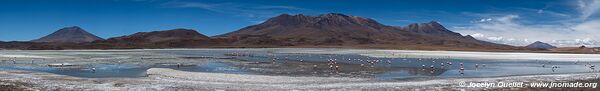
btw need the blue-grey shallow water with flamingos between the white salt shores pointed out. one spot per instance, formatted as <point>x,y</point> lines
<point>296,64</point>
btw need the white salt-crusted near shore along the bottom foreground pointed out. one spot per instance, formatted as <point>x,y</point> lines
<point>182,80</point>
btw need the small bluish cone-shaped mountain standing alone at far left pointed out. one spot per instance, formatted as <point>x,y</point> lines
<point>69,35</point>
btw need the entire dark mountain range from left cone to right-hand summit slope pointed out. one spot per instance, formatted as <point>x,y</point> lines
<point>326,30</point>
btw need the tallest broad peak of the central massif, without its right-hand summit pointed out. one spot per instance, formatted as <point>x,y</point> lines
<point>324,28</point>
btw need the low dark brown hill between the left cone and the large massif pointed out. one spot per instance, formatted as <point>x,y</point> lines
<point>175,38</point>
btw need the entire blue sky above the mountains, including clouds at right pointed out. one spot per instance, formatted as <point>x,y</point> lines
<point>515,22</point>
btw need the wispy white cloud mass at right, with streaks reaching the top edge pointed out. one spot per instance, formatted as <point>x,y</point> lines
<point>516,28</point>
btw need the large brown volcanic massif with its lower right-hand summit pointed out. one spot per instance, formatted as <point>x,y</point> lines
<point>344,30</point>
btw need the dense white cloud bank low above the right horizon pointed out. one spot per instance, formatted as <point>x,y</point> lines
<point>508,30</point>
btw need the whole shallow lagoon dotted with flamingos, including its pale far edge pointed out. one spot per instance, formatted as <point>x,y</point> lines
<point>386,64</point>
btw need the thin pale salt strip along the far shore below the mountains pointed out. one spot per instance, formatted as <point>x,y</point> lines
<point>379,53</point>
